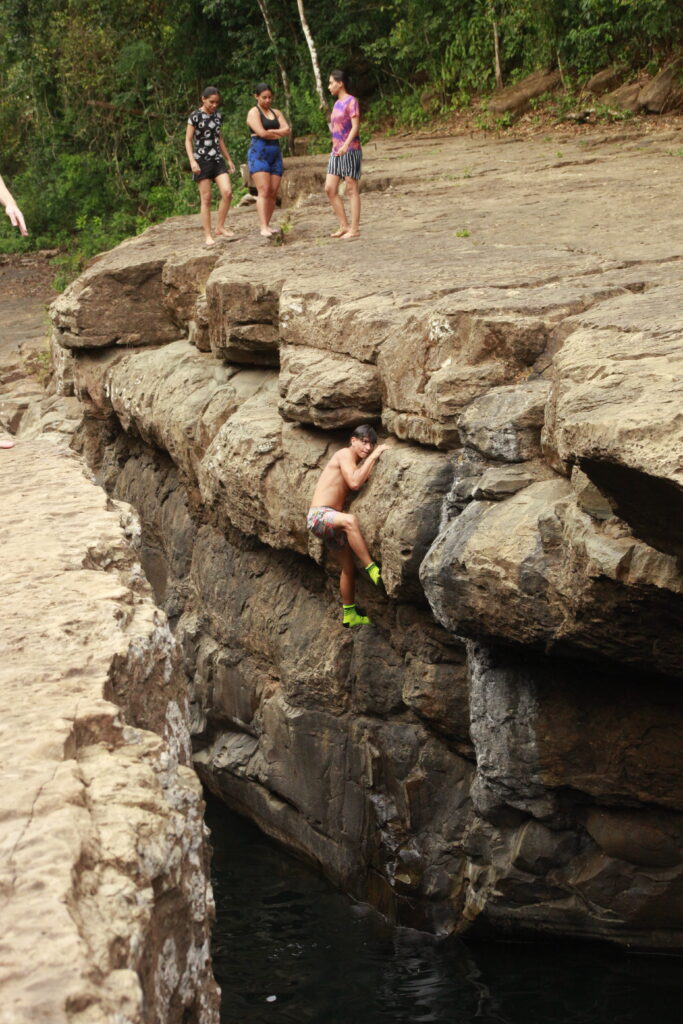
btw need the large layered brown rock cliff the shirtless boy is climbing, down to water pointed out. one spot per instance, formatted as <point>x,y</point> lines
<point>499,752</point>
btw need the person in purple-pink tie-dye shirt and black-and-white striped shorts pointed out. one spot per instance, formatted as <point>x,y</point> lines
<point>347,157</point>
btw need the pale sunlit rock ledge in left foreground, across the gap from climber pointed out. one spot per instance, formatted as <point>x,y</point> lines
<point>107,904</point>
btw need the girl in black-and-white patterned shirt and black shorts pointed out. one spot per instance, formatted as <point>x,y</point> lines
<point>208,155</point>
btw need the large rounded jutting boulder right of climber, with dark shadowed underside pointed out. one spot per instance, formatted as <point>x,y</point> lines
<point>537,571</point>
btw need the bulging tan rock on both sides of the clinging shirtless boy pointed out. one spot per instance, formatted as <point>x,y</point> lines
<point>262,474</point>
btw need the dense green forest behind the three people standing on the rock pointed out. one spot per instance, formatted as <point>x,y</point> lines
<point>95,95</point>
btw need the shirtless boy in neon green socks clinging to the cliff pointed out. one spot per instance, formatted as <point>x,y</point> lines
<point>348,471</point>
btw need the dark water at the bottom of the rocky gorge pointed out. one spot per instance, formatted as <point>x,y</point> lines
<point>289,950</point>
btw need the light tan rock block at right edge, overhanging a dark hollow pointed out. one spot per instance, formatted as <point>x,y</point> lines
<point>616,411</point>
